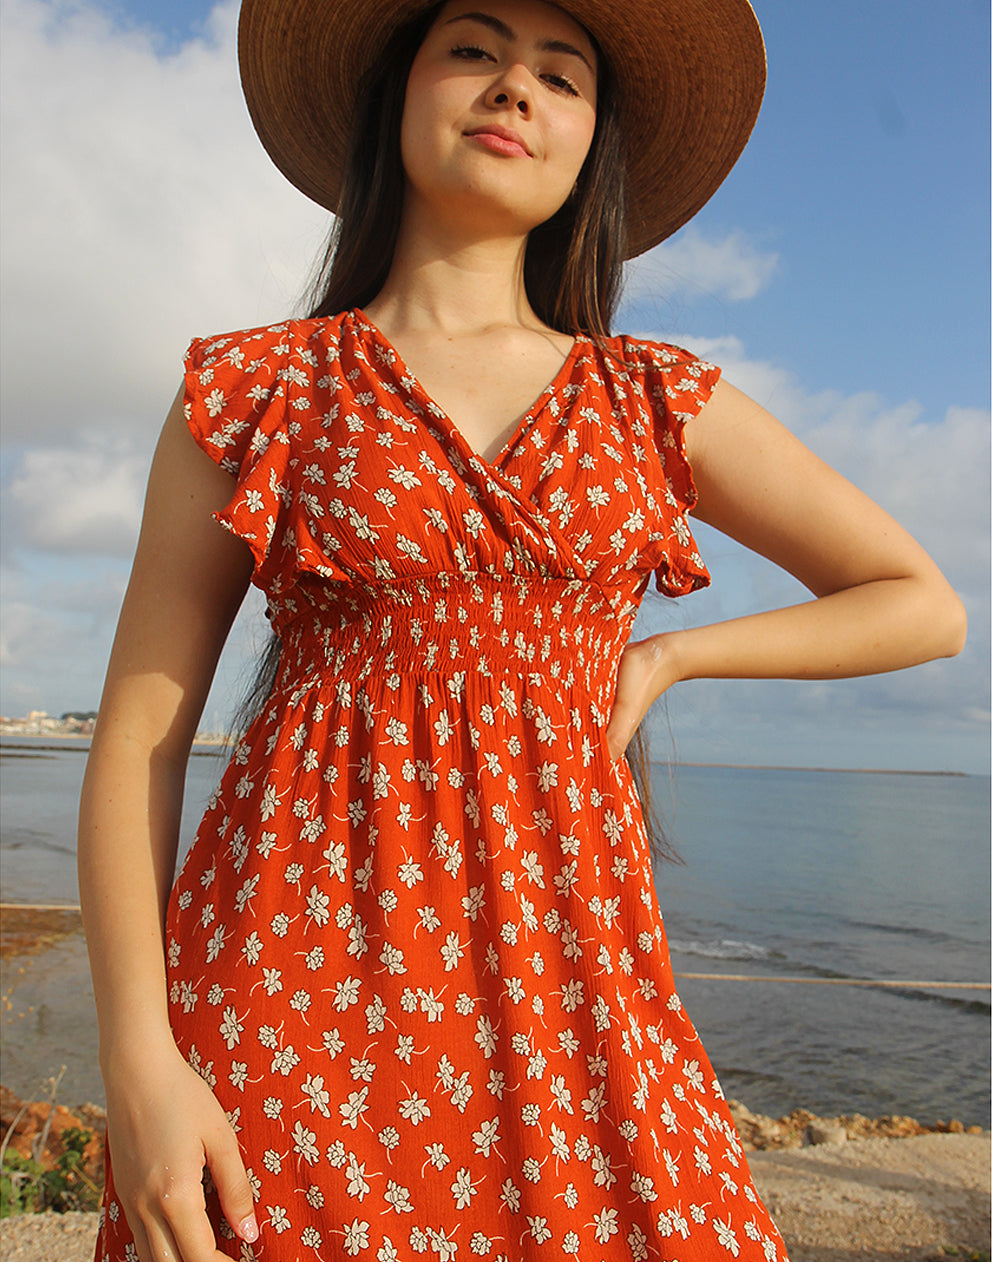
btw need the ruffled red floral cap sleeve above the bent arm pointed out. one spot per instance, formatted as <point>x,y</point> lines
<point>677,387</point>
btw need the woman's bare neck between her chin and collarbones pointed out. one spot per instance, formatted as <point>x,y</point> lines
<point>454,282</point>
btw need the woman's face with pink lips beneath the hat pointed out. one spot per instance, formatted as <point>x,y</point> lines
<point>499,114</point>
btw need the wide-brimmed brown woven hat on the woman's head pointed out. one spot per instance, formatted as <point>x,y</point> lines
<point>691,74</point>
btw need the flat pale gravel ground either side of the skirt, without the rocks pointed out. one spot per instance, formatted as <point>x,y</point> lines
<point>882,1201</point>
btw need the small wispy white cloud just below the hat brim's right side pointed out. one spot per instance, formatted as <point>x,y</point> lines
<point>730,268</point>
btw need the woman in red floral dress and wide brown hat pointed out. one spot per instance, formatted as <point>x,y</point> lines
<point>411,993</point>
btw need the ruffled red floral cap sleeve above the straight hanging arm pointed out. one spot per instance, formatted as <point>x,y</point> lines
<point>237,411</point>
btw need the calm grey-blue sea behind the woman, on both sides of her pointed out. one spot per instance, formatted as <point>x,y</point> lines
<point>788,878</point>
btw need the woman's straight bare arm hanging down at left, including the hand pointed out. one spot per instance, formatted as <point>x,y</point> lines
<point>165,1124</point>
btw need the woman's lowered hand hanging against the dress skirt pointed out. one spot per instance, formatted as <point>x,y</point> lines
<point>165,1126</point>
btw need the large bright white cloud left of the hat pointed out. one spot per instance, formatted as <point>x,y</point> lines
<point>138,209</point>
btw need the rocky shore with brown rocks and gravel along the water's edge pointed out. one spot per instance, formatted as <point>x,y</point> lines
<point>883,1189</point>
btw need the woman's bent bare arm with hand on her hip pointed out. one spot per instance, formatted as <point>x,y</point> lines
<point>880,604</point>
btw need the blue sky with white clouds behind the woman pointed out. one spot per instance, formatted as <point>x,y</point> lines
<point>840,277</point>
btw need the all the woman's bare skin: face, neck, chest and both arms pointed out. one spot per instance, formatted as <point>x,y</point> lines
<point>455,307</point>
